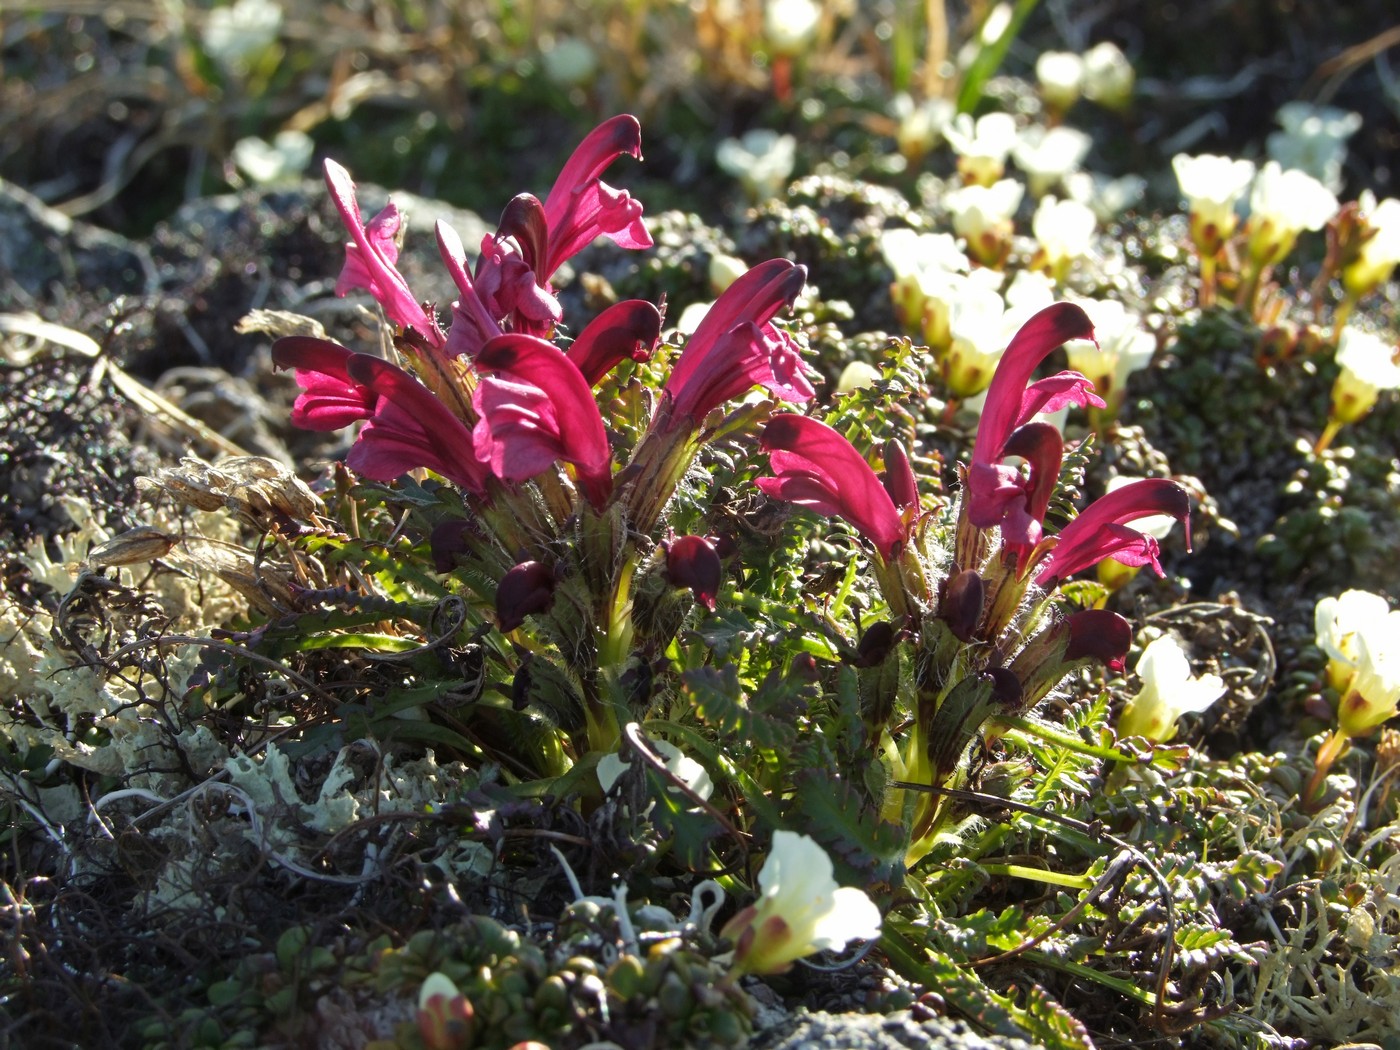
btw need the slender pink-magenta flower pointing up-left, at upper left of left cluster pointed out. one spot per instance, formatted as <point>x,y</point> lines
<point>372,257</point>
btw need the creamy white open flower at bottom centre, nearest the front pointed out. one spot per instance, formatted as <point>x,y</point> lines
<point>801,911</point>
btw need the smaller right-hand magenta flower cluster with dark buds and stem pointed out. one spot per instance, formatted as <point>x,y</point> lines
<point>975,604</point>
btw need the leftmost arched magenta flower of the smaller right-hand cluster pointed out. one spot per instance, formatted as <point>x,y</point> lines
<point>815,467</point>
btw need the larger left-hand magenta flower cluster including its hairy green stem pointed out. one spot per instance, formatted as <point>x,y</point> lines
<point>493,405</point>
